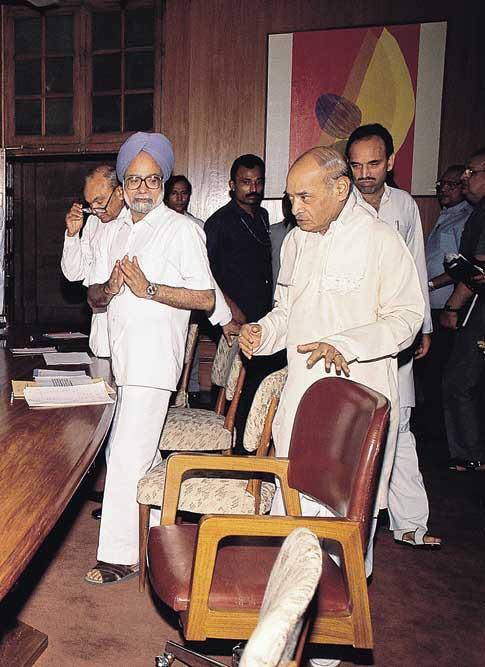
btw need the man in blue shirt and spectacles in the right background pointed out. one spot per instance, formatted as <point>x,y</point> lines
<point>444,239</point>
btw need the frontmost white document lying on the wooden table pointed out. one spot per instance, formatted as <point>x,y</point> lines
<point>66,397</point>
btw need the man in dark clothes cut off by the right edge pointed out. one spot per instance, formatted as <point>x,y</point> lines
<point>465,369</point>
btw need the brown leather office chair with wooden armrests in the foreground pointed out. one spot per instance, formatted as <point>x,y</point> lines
<point>216,583</point>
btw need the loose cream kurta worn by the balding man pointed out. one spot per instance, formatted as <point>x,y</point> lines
<point>355,287</point>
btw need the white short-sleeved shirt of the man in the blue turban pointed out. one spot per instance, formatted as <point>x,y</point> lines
<point>147,338</point>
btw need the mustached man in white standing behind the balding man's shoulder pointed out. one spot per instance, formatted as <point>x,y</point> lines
<point>370,151</point>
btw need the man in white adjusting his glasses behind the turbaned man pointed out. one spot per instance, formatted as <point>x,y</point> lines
<point>104,195</point>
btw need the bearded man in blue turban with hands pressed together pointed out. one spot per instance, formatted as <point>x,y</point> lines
<point>150,271</point>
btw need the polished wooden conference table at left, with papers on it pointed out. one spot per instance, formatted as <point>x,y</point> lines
<point>44,455</point>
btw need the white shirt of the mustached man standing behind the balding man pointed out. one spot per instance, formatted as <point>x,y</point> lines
<point>399,210</point>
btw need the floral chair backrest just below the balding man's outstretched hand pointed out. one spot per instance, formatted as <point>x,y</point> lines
<point>269,389</point>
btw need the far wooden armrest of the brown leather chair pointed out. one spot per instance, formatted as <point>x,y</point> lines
<point>178,464</point>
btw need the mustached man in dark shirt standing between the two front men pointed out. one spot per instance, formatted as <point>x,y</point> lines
<point>239,250</point>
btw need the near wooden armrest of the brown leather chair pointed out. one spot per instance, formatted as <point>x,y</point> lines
<point>212,529</point>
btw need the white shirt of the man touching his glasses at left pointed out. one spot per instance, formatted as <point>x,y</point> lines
<point>77,257</point>
